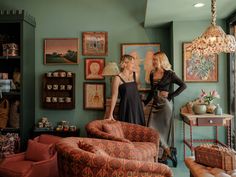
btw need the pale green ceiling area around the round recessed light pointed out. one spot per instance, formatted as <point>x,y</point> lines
<point>159,12</point>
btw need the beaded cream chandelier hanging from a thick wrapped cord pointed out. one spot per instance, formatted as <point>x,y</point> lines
<point>213,40</point>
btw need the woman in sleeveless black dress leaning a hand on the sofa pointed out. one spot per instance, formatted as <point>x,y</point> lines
<point>124,84</point>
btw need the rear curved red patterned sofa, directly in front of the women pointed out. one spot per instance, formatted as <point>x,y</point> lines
<point>145,141</point>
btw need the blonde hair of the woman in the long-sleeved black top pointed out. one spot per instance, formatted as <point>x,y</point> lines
<point>162,60</point>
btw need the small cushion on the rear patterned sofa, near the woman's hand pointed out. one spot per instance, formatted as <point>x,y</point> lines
<point>114,128</point>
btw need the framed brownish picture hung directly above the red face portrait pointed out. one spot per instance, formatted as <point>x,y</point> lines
<point>95,43</point>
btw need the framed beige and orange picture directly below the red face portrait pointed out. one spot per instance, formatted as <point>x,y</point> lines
<point>94,95</point>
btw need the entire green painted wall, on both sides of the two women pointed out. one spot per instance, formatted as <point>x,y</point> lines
<point>124,23</point>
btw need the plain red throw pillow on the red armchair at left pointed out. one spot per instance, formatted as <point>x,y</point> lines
<point>37,151</point>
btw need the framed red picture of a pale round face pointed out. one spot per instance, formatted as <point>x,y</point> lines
<point>93,68</point>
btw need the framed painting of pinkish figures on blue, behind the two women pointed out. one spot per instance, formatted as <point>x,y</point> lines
<point>142,54</point>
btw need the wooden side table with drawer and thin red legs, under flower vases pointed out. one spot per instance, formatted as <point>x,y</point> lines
<point>206,120</point>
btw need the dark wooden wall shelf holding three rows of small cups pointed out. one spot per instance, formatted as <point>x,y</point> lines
<point>58,90</point>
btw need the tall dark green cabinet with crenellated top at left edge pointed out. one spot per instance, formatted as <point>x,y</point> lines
<point>18,28</point>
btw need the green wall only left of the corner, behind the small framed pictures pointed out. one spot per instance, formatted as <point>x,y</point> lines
<point>68,19</point>
